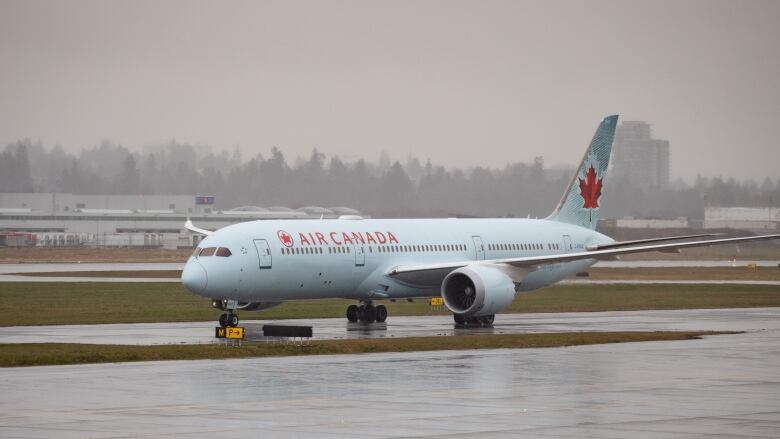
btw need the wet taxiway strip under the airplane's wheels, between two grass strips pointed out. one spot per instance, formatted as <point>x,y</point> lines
<point>748,319</point>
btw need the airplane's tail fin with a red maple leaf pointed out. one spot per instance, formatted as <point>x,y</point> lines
<point>580,202</point>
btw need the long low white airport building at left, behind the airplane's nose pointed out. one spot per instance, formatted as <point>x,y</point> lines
<point>54,219</point>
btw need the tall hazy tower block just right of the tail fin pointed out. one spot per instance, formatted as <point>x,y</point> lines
<point>639,158</point>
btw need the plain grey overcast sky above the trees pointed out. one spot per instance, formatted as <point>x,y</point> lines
<point>464,83</point>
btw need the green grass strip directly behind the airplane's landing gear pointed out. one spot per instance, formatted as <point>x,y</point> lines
<point>68,303</point>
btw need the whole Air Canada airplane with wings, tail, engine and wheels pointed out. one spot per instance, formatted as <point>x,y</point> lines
<point>476,265</point>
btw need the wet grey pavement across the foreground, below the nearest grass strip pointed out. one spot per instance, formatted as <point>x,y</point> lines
<point>721,386</point>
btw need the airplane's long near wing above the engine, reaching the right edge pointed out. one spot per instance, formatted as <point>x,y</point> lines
<point>519,266</point>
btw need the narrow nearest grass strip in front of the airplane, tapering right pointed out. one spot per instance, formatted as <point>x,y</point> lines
<point>16,355</point>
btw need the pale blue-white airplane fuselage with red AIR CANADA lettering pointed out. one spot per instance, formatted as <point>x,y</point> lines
<point>351,258</point>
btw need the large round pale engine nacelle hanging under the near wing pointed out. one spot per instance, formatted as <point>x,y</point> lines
<point>477,290</point>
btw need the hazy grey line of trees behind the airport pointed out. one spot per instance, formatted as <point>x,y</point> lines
<point>381,188</point>
